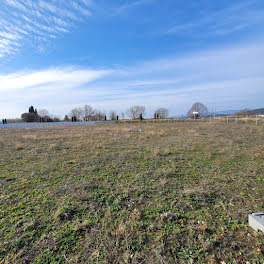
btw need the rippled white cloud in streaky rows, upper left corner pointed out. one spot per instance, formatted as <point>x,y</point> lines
<point>26,21</point>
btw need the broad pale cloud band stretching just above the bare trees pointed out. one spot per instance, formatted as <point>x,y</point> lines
<point>226,78</point>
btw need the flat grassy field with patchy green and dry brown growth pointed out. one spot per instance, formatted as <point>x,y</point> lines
<point>95,194</point>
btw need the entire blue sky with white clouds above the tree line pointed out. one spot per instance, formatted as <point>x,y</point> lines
<point>113,54</point>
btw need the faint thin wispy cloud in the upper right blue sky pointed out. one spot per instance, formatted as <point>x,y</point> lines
<point>228,20</point>
